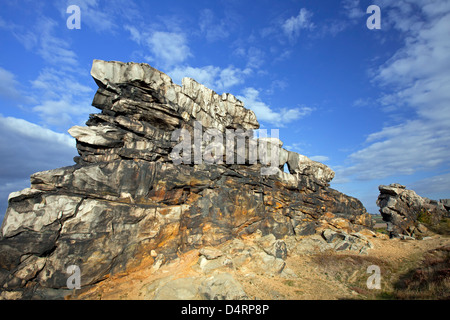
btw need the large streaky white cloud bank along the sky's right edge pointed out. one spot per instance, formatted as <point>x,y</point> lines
<point>416,79</point>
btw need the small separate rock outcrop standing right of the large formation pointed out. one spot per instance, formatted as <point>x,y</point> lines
<point>404,210</point>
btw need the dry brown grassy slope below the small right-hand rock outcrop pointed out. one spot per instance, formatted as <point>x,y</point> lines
<point>409,270</point>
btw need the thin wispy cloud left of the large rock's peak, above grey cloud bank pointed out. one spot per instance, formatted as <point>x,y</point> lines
<point>57,95</point>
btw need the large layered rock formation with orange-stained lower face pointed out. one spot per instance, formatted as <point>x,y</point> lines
<point>131,197</point>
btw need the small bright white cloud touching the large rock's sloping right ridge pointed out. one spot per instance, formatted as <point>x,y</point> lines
<point>265,113</point>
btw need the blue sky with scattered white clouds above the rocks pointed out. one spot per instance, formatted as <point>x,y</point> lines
<point>374,105</point>
